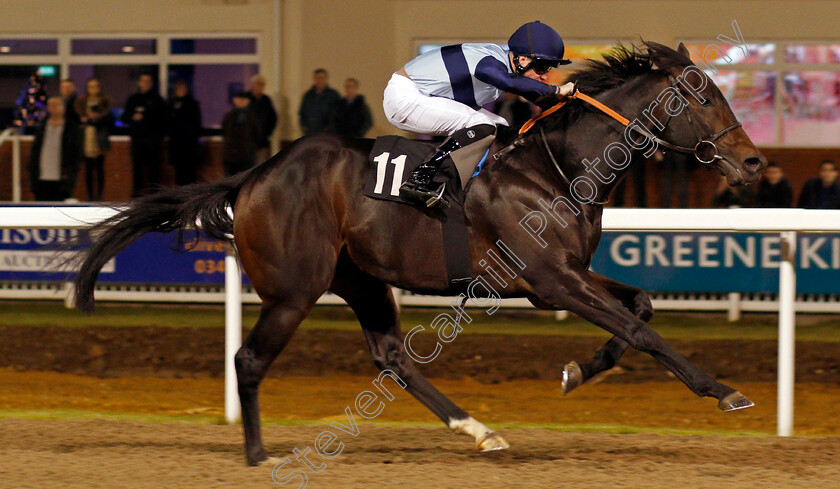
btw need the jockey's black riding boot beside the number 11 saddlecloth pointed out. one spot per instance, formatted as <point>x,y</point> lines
<point>419,185</point>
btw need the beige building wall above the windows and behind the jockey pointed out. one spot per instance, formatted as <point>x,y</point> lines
<point>369,39</point>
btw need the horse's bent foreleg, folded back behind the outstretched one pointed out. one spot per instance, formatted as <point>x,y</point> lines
<point>634,300</point>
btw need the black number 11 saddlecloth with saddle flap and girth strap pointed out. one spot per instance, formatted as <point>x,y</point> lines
<point>392,160</point>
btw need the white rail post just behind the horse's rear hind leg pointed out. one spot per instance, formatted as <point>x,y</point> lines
<point>233,331</point>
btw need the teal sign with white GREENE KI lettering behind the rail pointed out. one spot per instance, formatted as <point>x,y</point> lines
<point>717,262</point>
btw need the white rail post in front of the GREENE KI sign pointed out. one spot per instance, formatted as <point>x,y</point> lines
<point>787,333</point>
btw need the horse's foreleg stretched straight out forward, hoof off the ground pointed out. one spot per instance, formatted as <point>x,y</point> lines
<point>586,297</point>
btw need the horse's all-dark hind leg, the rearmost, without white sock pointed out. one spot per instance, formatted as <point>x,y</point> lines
<point>277,323</point>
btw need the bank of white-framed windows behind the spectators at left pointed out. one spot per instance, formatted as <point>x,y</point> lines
<point>215,66</point>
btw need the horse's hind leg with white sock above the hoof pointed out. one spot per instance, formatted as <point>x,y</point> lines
<point>373,303</point>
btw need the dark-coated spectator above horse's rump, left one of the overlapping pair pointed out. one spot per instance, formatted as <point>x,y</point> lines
<point>240,131</point>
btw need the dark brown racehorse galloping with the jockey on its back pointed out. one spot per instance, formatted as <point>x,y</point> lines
<point>302,227</point>
